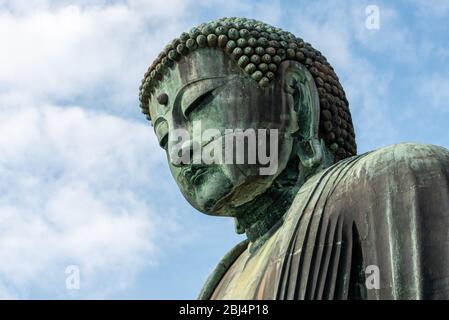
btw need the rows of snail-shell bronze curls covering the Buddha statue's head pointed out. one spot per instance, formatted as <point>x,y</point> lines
<point>258,49</point>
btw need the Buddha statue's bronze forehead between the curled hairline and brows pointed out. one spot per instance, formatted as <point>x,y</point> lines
<point>204,63</point>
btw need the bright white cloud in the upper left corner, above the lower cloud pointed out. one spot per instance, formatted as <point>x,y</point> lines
<point>56,51</point>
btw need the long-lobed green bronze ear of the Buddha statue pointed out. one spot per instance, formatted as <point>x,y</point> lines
<point>304,105</point>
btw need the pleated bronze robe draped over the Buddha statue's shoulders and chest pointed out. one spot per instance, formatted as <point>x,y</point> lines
<point>374,226</point>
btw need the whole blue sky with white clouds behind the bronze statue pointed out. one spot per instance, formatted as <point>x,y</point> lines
<point>82,180</point>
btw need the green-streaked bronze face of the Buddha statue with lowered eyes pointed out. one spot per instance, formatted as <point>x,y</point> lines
<point>208,90</point>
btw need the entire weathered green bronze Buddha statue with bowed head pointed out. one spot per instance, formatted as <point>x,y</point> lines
<point>325,215</point>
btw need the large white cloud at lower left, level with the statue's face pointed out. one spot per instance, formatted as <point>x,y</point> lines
<point>73,186</point>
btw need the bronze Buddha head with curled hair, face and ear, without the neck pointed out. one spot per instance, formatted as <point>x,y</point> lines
<point>237,80</point>
